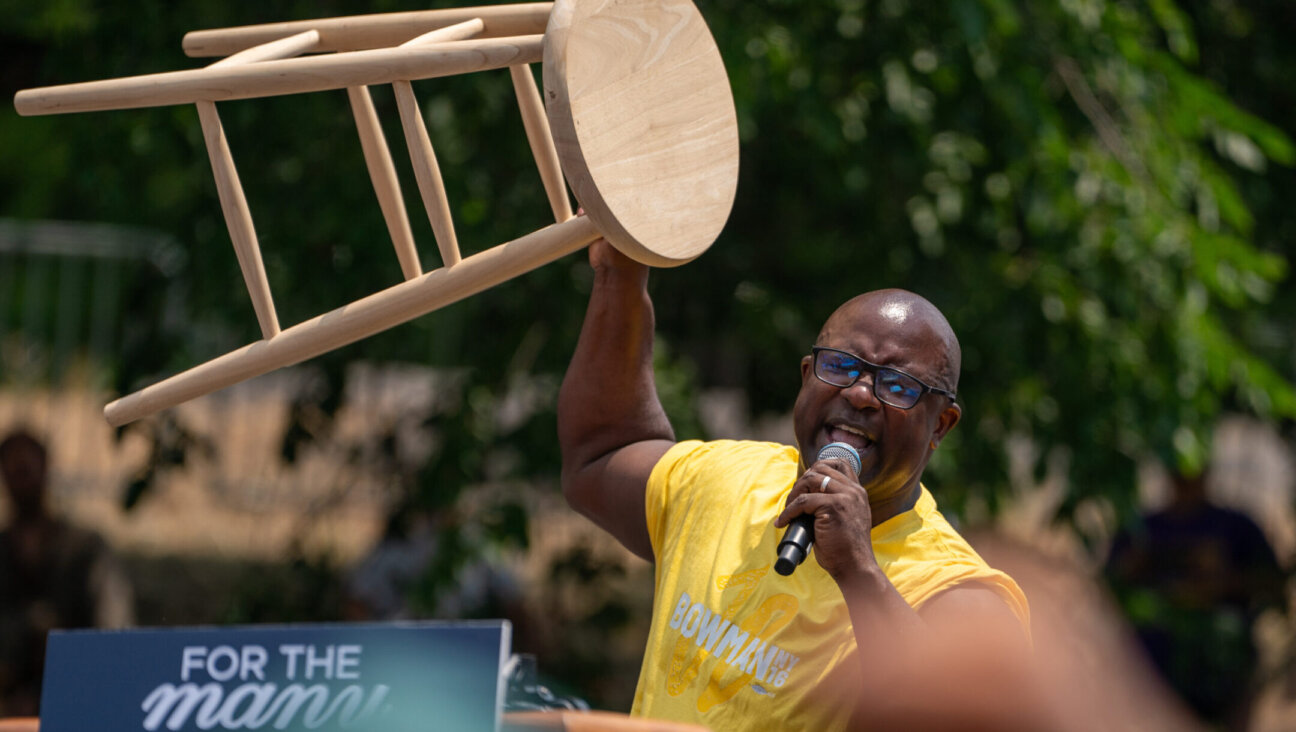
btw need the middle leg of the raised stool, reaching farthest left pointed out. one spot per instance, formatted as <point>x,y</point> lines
<point>286,77</point>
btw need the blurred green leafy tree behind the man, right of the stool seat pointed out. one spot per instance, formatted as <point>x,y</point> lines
<point>1056,177</point>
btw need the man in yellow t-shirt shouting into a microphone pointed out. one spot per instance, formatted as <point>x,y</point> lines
<point>734,646</point>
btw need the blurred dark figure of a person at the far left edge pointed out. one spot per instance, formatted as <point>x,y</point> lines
<point>52,576</point>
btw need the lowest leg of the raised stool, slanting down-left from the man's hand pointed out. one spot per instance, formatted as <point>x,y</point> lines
<point>361,319</point>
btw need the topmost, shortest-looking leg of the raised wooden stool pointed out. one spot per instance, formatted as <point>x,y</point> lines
<point>379,30</point>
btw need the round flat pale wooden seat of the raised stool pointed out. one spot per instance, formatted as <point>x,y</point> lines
<point>645,124</point>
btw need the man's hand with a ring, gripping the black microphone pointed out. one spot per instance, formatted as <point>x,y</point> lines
<point>843,519</point>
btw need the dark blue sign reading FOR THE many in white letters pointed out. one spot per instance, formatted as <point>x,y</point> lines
<point>389,678</point>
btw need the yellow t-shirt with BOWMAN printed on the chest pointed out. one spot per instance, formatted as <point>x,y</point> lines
<point>735,646</point>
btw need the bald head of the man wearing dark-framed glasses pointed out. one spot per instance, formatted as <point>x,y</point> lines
<point>904,332</point>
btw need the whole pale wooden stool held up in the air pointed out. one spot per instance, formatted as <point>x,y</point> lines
<point>637,113</point>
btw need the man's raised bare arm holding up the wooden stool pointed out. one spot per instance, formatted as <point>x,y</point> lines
<point>612,428</point>
